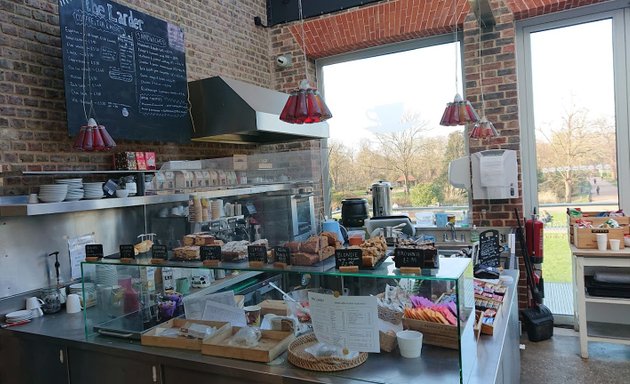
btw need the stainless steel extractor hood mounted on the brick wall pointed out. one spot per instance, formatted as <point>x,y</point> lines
<point>232,111</point>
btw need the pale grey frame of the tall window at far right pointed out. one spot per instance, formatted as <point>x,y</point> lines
<point>619,14</point>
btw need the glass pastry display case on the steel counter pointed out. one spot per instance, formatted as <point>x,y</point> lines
<point>131,299</point>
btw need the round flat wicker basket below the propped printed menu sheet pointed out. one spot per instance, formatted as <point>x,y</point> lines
<point>298,357</point>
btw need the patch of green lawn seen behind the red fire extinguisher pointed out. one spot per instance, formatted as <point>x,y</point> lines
<point>557,258</point>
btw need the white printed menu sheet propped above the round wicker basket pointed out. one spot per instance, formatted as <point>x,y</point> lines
<point>347,321</point>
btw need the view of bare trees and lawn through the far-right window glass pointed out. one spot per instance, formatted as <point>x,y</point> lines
<point>574,116</point>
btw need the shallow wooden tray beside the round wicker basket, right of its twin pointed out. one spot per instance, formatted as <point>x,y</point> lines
<point>270,346</point>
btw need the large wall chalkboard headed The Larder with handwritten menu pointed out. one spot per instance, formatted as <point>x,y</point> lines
<point>130,66</point>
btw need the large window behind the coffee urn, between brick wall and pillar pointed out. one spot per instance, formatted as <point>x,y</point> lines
<point>387,104</point>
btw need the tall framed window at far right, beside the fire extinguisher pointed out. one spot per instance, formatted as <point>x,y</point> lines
<point>573,90</point>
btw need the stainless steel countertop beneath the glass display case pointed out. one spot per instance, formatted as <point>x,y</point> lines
<point>437,365</point>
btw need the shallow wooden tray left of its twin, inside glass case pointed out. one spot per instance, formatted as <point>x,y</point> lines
<point>152,336</point>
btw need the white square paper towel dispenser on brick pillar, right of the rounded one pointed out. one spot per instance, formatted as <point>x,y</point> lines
<point>494,174</point>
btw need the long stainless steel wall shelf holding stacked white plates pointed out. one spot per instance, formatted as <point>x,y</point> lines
<point>17,206</point>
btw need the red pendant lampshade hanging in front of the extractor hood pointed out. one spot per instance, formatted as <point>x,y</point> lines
<point>305,106</point>
